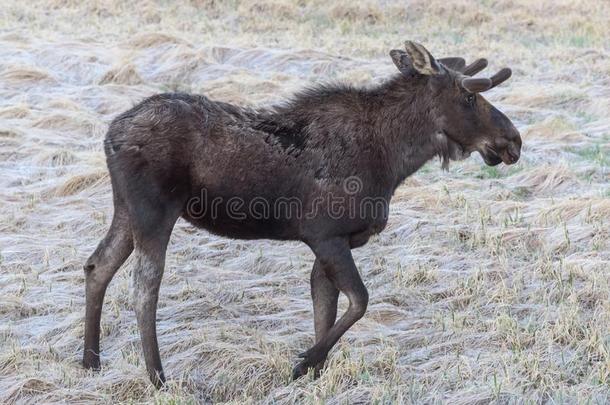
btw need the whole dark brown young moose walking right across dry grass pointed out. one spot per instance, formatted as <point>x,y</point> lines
<point>165,151</point>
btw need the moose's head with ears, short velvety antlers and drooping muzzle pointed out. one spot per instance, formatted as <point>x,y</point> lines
<point>465,120</point>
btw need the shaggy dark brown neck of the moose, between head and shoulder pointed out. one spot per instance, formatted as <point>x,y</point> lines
<point>406,127</point>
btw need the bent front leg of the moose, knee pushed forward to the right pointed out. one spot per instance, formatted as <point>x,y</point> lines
<point>336,259</point>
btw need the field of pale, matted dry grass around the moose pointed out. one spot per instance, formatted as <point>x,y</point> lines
<point>490,284</point>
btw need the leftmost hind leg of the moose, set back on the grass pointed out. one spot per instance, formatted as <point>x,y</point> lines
<point>100,268</point>
